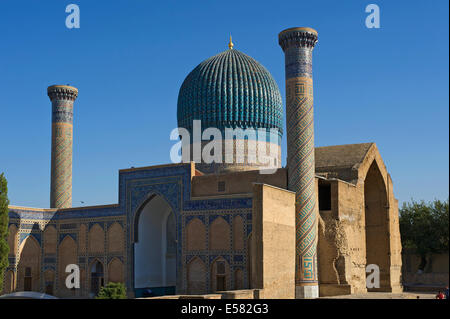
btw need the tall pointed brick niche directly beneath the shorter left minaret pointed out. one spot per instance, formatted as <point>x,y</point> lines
<point>67,254</point>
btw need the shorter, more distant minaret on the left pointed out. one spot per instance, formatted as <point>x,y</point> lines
<point>62,97</point>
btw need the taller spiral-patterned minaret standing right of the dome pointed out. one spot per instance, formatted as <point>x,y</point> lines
<point>298,44</point>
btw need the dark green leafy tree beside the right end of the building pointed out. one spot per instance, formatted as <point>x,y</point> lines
<point>424,228</point>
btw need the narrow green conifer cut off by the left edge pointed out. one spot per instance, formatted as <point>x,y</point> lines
<point>4,221</point>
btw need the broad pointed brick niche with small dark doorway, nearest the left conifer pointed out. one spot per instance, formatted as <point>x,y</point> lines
<point>29,268</point>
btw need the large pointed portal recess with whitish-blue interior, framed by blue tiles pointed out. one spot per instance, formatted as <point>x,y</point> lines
<point>155,249</point>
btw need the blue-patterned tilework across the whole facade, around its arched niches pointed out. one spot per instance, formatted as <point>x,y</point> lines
<point>173,183</point>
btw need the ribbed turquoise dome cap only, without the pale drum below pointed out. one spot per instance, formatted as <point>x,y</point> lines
<point>233,90</point>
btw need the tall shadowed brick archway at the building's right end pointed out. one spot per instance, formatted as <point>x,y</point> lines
<point>377,225</point>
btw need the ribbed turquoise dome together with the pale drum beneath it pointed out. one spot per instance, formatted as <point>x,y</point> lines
<point>232,90</point>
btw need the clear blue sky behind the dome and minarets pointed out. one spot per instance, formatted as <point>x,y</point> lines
<point>129,58</point>
